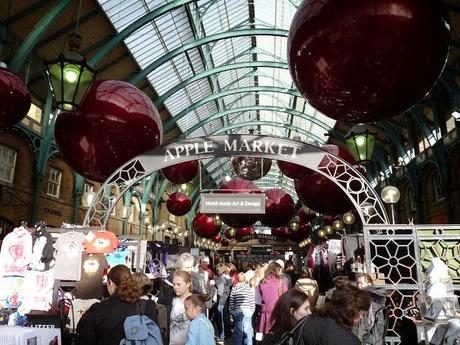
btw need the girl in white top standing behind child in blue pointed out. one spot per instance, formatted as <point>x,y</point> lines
<point>179,323</point>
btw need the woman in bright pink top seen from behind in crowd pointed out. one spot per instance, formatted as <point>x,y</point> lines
<point>270,289</point>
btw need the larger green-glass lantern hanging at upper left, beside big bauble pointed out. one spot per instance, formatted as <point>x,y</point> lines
<point>69,76</point>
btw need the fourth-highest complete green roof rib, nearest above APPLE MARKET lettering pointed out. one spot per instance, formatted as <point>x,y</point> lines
<point>259,107</point>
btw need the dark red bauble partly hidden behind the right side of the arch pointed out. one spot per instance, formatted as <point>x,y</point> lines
<point>321,194</point>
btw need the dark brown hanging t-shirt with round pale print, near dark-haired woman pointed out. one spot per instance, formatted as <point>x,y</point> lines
<point>93,267</point>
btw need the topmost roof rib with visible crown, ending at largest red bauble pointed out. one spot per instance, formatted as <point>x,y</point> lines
<point>137,77</point>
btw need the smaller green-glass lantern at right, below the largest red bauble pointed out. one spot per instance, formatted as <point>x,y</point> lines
<point>360,142</point>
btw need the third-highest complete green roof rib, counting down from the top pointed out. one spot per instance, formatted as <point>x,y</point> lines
<point>172,122</point>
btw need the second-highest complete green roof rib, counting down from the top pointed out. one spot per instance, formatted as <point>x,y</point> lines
<point>207,73</point>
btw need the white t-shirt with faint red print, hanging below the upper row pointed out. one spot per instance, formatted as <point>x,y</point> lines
<point>41,296</point>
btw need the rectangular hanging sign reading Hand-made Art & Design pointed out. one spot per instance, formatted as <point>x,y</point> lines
<point>232,203</point>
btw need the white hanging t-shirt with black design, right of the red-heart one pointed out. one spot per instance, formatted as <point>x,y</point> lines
<point>42,251</point>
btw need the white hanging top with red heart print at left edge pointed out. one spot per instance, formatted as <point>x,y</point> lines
<point>16,252</point>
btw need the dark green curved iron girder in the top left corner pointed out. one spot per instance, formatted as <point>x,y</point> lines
<point>32,39</point>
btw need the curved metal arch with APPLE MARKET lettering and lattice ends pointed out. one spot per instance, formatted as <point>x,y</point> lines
<point>361,193</point>
